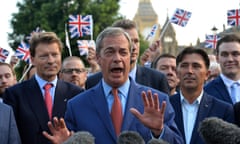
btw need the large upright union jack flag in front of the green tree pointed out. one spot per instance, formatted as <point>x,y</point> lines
<point>80,25</point>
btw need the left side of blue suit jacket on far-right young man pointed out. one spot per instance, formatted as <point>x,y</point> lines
<point>218,89</point>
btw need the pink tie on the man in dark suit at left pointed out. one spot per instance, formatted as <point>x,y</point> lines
<point>48,99</point>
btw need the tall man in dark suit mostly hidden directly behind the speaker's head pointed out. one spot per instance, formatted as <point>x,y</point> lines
<point>142,75</point>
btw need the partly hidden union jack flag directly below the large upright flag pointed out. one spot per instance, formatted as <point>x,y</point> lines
<point>83,46</point>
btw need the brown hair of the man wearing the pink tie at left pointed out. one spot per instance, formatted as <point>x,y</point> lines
<point>44,37</point>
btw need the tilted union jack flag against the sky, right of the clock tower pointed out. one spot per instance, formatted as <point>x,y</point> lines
<point>181,17</point>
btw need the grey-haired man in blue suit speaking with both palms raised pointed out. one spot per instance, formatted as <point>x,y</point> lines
<point>151,117</point>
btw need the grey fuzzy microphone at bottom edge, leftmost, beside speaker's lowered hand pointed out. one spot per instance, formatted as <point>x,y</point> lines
<point>81,137</point>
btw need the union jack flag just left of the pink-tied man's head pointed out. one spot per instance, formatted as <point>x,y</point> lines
<point>22,52</point>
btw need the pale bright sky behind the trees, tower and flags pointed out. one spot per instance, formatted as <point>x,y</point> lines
<point>205,15</point>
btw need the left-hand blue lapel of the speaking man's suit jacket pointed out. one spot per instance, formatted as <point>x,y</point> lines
<point>100,103</point>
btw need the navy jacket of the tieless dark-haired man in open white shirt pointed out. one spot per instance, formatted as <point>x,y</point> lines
<point>209,107</point>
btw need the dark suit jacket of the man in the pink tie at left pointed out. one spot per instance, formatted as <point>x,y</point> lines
<point>30,111</point>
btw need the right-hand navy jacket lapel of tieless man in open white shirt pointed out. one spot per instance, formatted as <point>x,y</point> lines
<point>203,112</point>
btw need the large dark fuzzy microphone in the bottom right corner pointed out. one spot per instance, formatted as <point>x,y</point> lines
<point>214,130</point>
